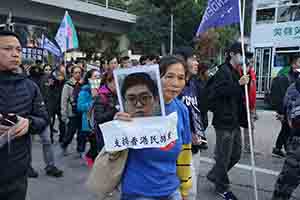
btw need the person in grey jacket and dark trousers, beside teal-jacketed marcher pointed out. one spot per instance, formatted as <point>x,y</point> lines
<point>69,113</point>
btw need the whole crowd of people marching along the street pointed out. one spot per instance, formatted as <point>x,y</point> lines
<point>79,99</point>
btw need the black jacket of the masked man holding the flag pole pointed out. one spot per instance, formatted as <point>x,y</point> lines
<point>229,110</point>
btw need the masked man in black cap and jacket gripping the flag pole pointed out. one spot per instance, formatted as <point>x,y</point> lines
<point>229,115</point>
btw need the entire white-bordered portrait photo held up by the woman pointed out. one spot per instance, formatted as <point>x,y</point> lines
<point>139,91</point>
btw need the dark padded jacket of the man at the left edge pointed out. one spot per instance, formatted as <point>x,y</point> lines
<point>21,96</point>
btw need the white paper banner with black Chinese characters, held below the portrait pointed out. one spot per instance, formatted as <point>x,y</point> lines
<point>146,132</point>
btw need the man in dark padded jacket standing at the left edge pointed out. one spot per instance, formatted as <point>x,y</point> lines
<point>21,97</point>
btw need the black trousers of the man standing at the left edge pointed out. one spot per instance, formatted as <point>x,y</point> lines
<point>14,190</point>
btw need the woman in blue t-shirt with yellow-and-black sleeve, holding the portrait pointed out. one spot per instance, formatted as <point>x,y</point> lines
<point>162,173</point>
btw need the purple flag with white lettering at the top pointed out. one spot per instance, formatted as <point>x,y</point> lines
<point>219,13</point>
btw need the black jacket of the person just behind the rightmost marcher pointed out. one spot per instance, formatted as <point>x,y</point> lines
<point>279,87</point>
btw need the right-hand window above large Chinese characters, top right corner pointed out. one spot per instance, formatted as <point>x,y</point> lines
<point>288,13</point>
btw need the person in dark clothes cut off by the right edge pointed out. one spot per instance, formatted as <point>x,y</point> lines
<point>289,178</point>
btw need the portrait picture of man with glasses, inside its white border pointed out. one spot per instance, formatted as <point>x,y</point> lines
<point>140,94</point>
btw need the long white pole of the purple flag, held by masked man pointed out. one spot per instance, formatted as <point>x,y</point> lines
<point>242,18</point>
